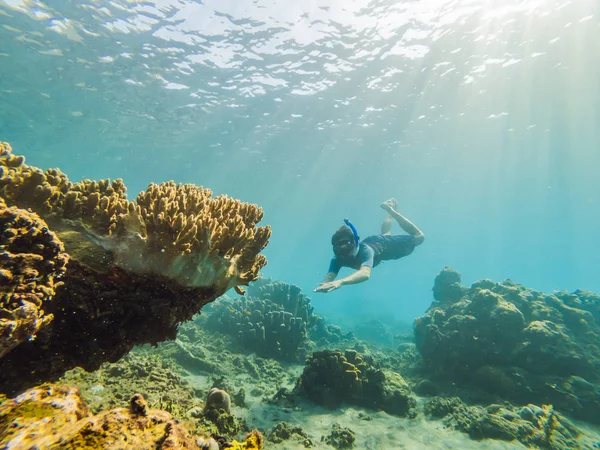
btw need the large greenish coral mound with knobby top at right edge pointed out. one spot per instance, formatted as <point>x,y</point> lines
<point>514,342</point>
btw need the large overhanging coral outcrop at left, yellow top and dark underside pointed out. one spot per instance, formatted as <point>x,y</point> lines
<point>137,269</point>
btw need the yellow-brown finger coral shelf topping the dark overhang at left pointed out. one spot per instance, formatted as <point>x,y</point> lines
<point>179,231</point>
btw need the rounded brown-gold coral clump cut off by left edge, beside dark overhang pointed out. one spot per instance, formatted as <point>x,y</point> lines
<point>32,259</point>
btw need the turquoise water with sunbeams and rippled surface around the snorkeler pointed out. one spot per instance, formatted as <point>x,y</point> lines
<point>481,117</point>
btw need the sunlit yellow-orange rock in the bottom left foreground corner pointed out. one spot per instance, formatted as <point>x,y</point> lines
<point>56,417</point>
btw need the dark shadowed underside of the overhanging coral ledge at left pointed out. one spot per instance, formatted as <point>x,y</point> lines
<point>99,317</point>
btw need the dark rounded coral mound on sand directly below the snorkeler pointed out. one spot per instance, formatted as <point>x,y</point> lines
<point>332,377</point>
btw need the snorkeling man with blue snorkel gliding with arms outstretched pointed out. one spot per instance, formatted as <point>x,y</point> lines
<point>364,255</point>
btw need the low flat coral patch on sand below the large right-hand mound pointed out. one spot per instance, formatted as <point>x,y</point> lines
<point>531,425</point>
